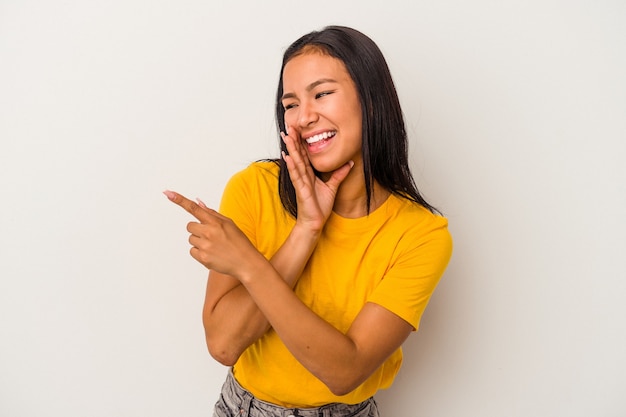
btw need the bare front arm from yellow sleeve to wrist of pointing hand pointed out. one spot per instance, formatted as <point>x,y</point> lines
<point>341,361</point>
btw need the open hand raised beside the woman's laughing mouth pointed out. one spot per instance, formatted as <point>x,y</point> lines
<point>315,197</point>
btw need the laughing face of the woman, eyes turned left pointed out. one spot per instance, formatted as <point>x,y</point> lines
<point>322,109</point>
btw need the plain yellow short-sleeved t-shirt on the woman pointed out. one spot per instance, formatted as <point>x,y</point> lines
<point>393,257</point>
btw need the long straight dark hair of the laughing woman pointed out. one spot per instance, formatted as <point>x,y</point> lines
<point>384,142</point>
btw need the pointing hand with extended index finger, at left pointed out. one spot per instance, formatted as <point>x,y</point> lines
<point>217,243</point>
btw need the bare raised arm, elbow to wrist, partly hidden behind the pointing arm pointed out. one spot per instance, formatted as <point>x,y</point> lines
<point>232,320</point>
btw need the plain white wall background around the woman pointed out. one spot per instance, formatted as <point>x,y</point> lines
<point>517,117</point>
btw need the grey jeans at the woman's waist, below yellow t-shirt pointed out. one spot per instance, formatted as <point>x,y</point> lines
<point>237,402</point>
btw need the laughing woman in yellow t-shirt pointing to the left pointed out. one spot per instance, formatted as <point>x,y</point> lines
<point>322,262</point>
